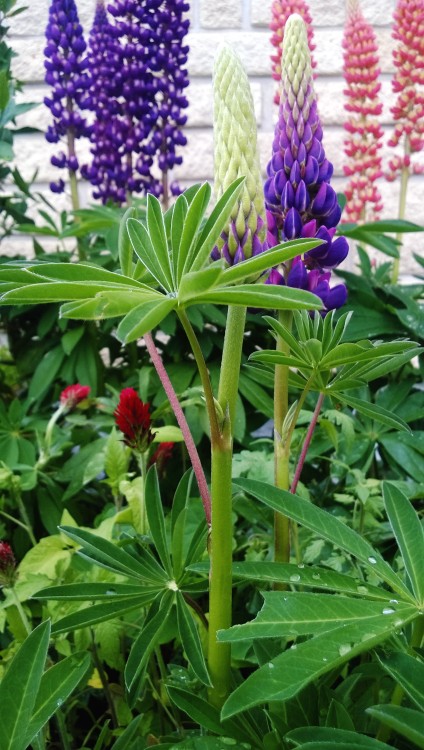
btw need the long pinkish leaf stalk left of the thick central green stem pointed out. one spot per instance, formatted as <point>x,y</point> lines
<point>180,417</point>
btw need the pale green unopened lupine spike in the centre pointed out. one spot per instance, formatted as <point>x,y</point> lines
<point>236,155</point>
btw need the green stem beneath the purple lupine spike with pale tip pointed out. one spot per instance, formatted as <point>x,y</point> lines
<point>281,448</point>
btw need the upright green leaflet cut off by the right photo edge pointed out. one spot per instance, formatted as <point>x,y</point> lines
<point>409,534</point>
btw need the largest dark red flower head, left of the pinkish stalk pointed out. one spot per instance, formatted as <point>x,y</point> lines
<point>133,419</point>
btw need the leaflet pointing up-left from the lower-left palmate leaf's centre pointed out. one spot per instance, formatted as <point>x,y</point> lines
<point>143,567</point>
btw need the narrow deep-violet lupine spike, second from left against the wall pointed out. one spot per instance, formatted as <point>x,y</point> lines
<point>111,169</point>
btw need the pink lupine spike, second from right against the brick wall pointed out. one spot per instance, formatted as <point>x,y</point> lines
<point>362,147</point>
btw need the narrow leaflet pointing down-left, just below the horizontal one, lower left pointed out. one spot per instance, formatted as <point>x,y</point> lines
<point>93,614</point>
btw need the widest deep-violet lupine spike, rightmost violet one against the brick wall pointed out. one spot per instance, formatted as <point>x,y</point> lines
<point>151,36</point>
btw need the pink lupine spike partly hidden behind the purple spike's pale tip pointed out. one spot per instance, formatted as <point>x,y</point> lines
<point>281,10</point>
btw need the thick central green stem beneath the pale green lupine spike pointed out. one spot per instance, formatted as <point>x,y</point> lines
<point>221,537</point>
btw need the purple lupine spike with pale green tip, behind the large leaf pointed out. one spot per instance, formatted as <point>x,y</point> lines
<point>298,194</point>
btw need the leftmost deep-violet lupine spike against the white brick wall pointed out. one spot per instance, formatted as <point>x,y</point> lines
<point>66,74</point>
